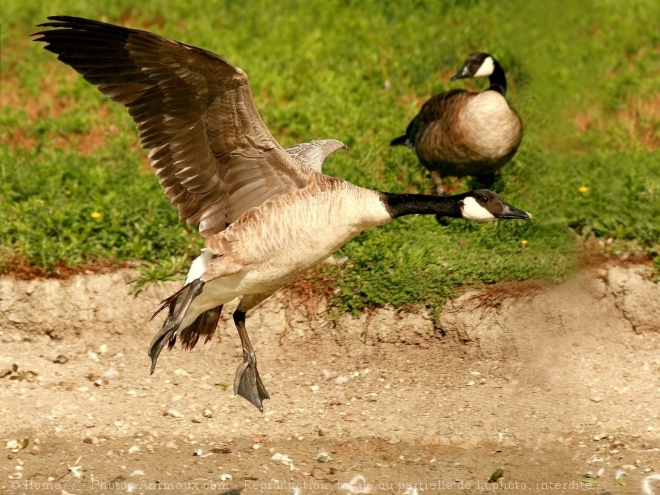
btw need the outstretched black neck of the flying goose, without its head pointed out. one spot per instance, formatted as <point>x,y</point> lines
<point>399,205</point>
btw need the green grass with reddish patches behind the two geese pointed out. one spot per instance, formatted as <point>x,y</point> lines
<point>583,76</point>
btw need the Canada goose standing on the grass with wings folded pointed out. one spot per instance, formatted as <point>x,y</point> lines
<point>465,132</point>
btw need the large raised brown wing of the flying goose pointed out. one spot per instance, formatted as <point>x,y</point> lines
<point>212,153</point>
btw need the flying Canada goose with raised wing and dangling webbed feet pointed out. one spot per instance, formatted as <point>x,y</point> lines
<point>267,214</point>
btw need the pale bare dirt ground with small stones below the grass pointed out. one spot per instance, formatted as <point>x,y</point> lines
<point>554,391</point>
